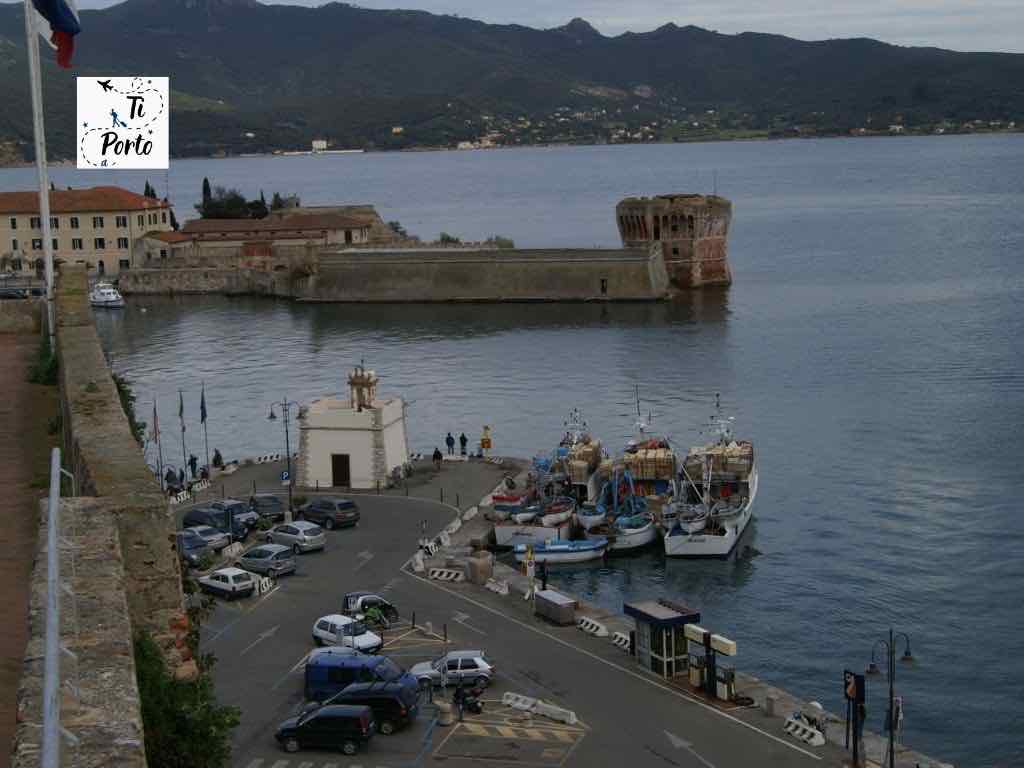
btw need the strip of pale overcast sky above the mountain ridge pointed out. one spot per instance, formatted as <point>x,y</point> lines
<point>961,25</point>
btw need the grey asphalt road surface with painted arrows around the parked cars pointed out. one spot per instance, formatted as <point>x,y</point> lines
<point>627,717</point>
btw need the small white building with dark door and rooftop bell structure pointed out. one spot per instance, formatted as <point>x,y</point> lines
<point>356,443</point>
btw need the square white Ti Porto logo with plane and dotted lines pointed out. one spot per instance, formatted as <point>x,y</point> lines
<point>123,122</point>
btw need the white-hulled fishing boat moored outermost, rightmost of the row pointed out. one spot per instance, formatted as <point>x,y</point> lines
<point>709,521</point>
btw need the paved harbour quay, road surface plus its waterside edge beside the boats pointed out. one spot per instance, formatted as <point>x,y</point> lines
<point>626,714</point>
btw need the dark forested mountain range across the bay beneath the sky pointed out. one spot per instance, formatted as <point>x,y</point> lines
<point>250,77</point>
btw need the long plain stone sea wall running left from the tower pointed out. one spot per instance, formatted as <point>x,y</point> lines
<point>465,275</point>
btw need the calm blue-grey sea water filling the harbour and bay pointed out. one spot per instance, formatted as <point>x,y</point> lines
<point>872,348</point>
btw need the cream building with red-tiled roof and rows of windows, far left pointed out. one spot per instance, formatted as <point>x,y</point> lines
<point>99,227</point>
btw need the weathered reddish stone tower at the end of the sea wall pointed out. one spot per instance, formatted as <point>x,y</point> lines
<point>691,231</point>
